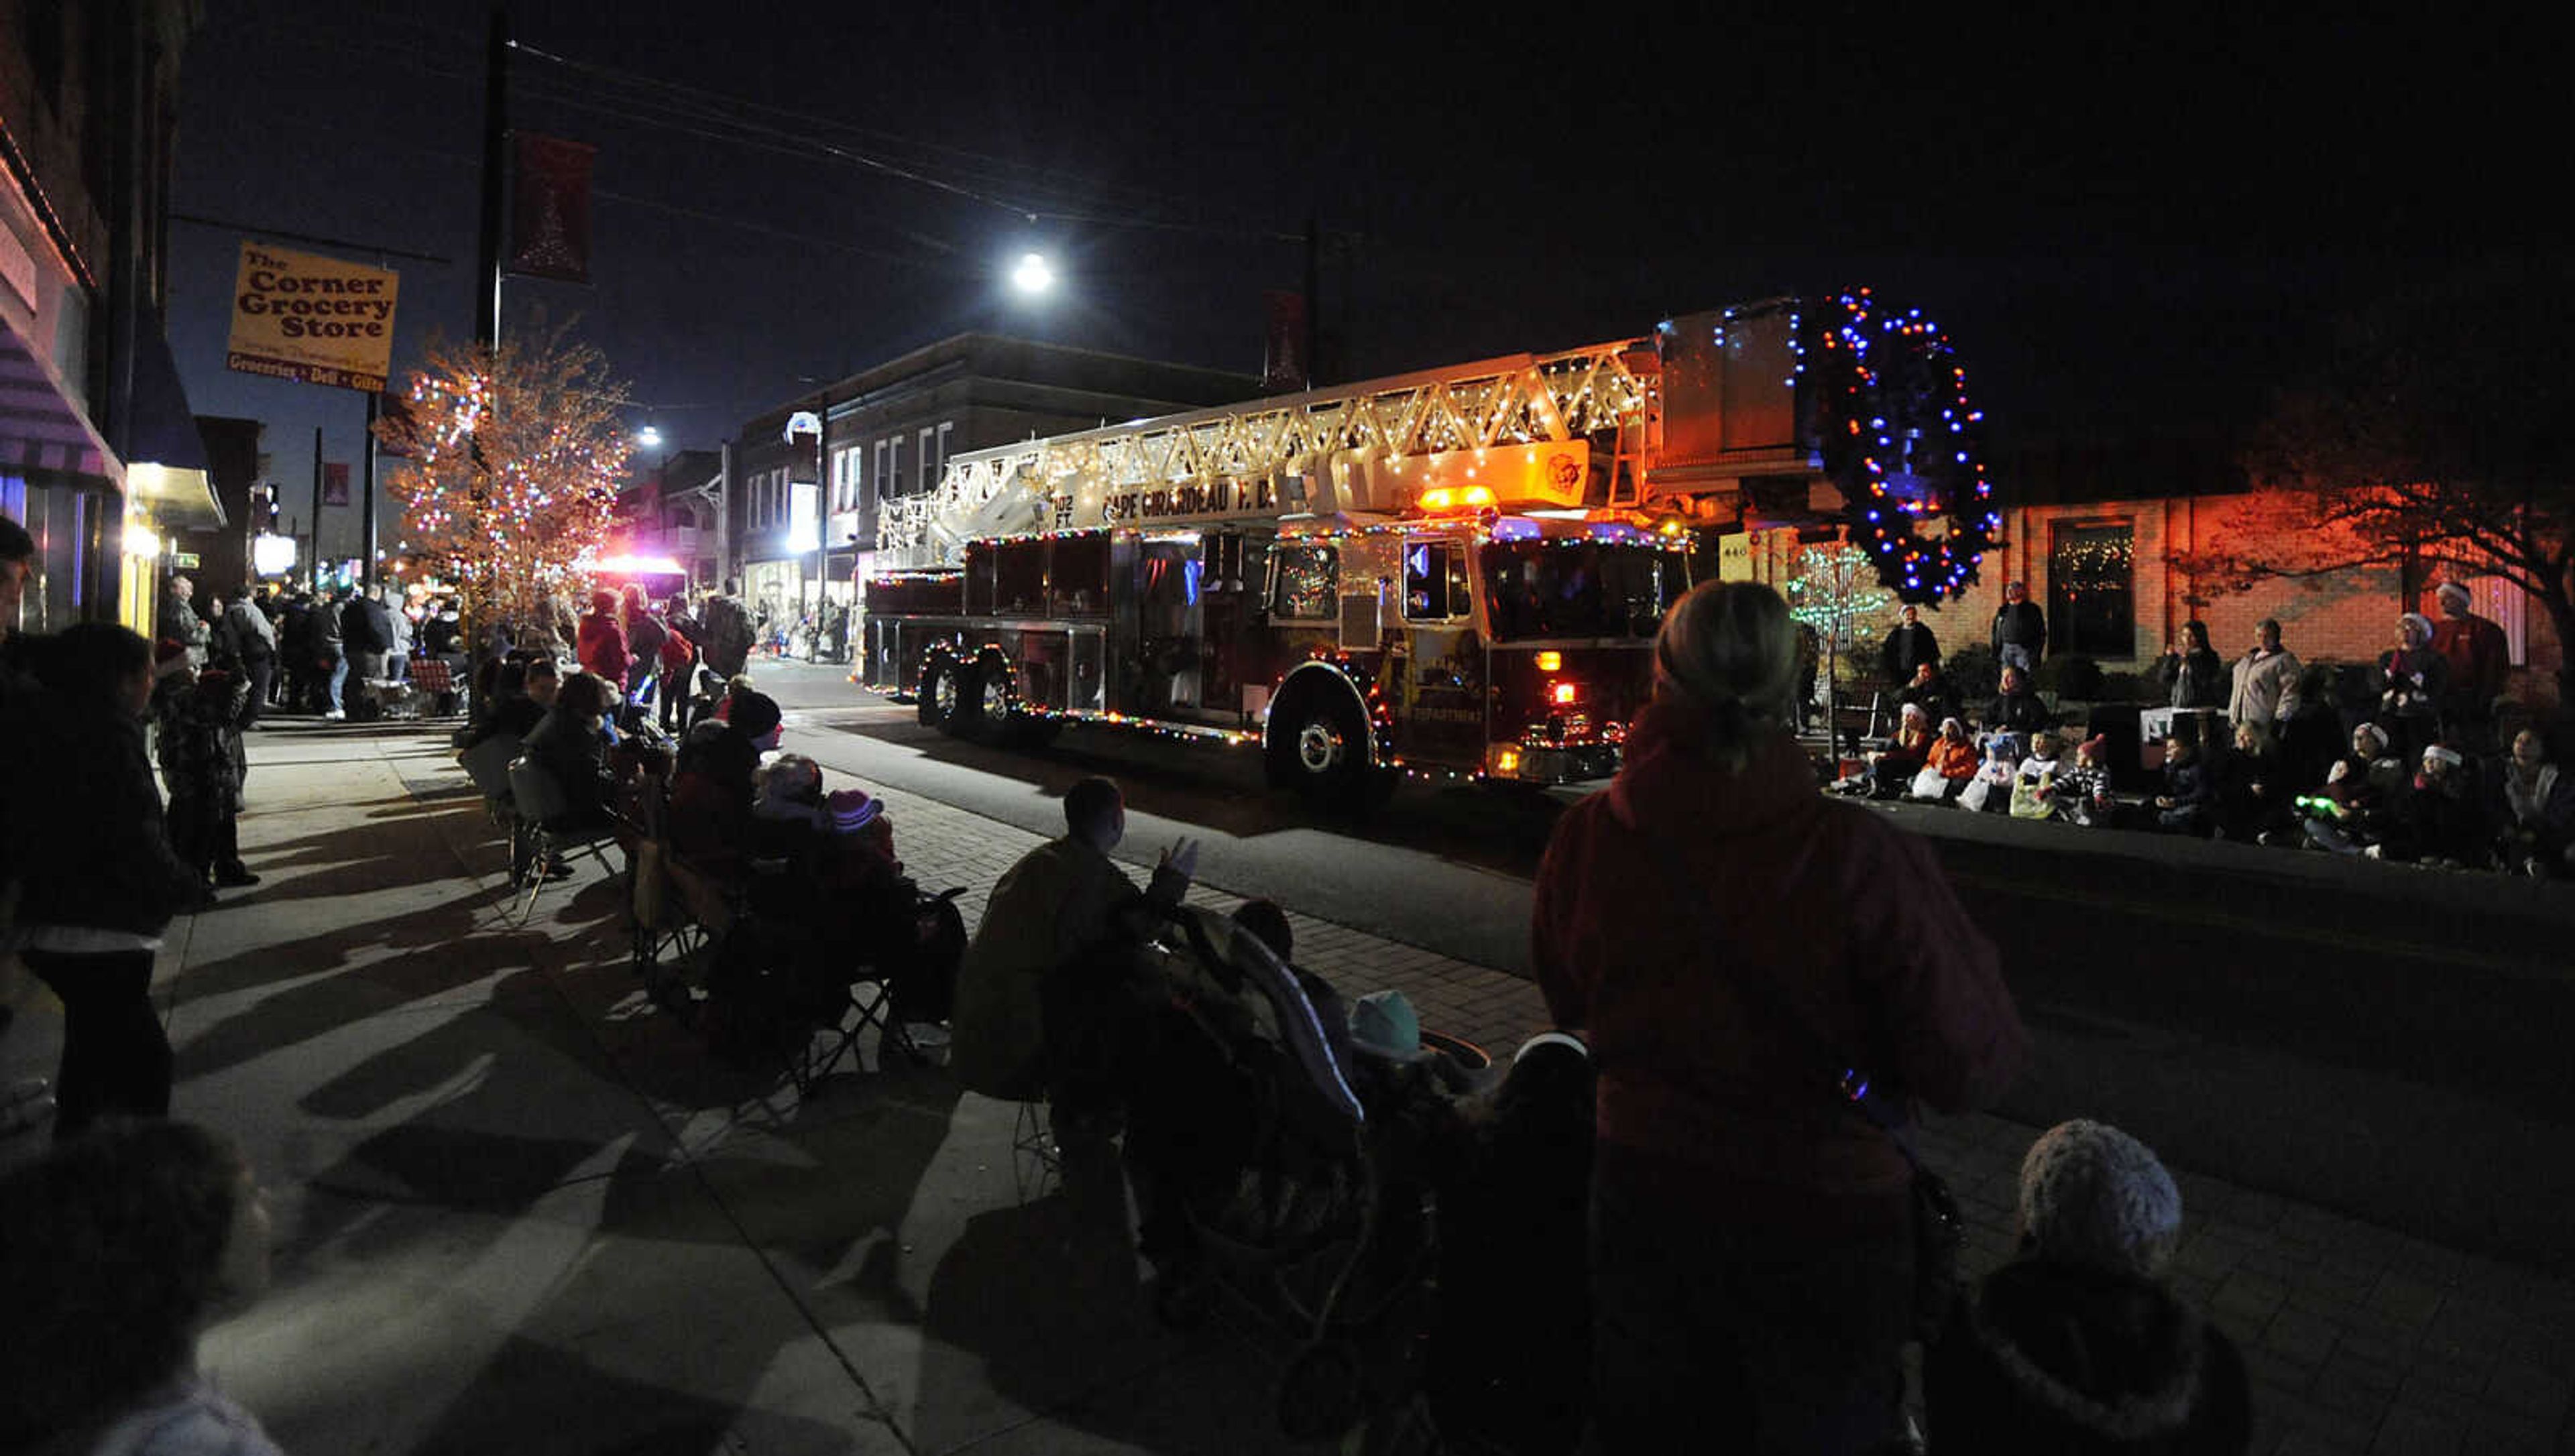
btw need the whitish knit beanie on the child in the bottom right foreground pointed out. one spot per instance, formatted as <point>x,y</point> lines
<point>2095,1195</point>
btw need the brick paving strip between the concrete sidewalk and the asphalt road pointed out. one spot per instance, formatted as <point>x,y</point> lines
<point>2357,1339</point>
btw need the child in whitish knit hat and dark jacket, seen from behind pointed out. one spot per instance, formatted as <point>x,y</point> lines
<point>2079,1347</point>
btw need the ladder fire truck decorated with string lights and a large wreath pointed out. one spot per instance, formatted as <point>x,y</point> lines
<point>1451,575</point>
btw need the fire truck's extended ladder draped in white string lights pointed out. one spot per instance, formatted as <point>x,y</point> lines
<point>1518,400</point>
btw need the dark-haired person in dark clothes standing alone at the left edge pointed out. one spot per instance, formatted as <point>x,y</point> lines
<point>102,891</point>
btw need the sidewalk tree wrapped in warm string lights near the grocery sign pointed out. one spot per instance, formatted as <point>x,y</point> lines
<point>514,464</point>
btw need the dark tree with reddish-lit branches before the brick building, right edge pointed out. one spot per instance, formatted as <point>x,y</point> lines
<point>2437,428</point>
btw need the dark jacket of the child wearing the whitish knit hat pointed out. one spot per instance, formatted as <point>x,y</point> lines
<point>2072,1360</point>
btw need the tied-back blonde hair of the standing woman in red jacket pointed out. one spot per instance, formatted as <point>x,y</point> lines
<point>1729,650</point>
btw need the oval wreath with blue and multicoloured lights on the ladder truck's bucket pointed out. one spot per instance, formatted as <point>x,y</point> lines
<point>1886,405</point>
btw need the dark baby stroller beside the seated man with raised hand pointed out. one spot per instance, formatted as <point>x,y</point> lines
<point>1266,1177</point>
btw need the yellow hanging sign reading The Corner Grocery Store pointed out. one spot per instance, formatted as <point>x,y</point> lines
<point>313,320</point>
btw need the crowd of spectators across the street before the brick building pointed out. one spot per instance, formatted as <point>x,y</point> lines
<point>2404,760</point>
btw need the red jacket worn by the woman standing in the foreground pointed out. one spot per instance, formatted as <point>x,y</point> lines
<point>1850,922</point>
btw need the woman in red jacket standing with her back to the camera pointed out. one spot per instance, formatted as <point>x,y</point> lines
<point>1732,943</point>
